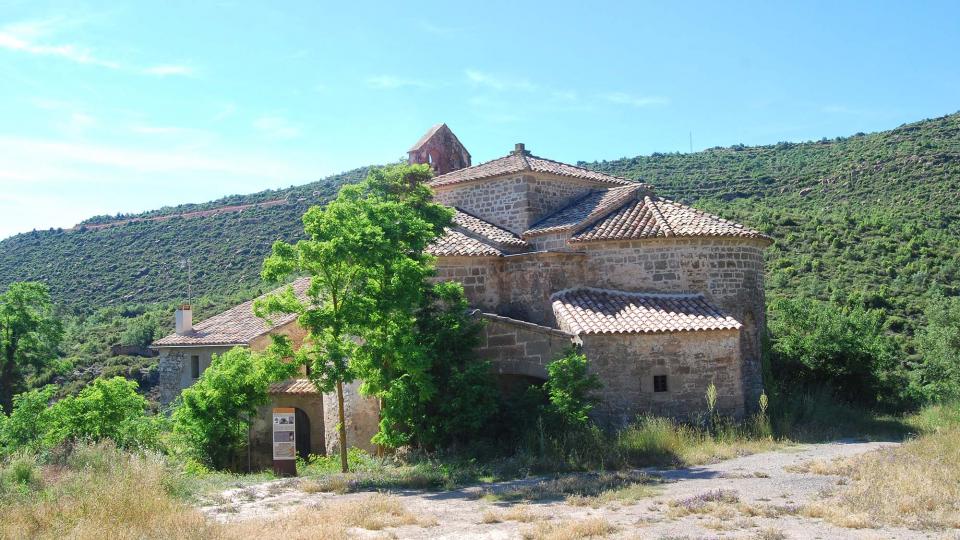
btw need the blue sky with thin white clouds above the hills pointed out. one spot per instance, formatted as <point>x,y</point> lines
<point>106,107</point>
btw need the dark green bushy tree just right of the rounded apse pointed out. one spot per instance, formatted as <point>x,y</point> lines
<point>846,349</point>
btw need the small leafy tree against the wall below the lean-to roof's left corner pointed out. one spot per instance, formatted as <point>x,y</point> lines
<point>570,388</point>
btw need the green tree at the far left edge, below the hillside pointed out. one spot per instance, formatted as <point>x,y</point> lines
<point>29,335</point>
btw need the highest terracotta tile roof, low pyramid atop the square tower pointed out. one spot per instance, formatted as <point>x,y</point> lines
<point>520,162</point>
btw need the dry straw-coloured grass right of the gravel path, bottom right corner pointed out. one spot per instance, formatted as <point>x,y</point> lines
<point>916,485</point>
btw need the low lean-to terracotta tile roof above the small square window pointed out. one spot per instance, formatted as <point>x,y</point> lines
<point>599,311</point>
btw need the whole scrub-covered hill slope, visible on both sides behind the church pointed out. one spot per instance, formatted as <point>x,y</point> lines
<point>871,219</point>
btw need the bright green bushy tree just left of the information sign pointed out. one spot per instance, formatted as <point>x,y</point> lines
<point>212,417</point>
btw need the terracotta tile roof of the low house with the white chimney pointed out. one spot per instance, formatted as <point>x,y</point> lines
<point>236,326</point>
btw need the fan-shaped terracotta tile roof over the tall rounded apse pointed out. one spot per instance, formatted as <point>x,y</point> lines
<point>655,217</point>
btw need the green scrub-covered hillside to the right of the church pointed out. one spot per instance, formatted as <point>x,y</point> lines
<point>869,219</point>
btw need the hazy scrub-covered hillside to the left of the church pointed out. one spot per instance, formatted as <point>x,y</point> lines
<point>141,262</point>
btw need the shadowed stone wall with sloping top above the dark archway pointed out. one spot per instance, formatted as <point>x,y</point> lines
<point>520,348</point>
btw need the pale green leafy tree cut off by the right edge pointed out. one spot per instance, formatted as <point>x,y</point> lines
<point>937,377</point>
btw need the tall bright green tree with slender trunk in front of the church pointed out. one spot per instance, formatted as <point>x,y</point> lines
<point>366,255</point>
